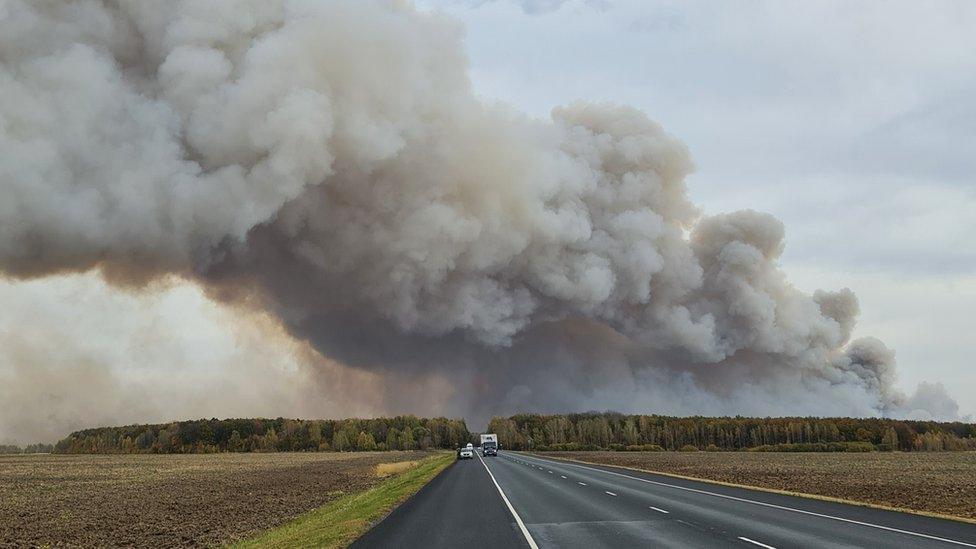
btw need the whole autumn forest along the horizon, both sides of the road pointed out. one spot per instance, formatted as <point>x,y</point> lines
<point>564,432</point>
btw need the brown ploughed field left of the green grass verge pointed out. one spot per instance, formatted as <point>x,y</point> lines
<point>170,500</point>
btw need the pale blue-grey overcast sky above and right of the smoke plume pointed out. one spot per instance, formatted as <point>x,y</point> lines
<point>854,123</point>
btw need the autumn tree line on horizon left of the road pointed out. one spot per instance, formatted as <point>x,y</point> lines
<point>270,435</point>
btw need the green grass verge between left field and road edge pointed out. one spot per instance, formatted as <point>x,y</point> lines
<point>339,522</point>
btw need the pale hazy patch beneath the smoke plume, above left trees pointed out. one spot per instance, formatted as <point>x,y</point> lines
<point>76,353</point>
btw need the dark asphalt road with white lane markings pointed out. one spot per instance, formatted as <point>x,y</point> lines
<point>564,504</point>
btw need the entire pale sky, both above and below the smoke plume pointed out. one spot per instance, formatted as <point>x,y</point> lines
<point>854,124</point>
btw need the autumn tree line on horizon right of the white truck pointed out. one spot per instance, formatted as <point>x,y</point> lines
<point>614,431</point>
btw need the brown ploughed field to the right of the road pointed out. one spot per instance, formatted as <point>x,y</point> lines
<point>934,482</point>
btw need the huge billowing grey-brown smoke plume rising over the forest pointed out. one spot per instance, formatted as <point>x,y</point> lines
<point>329,163</point>
